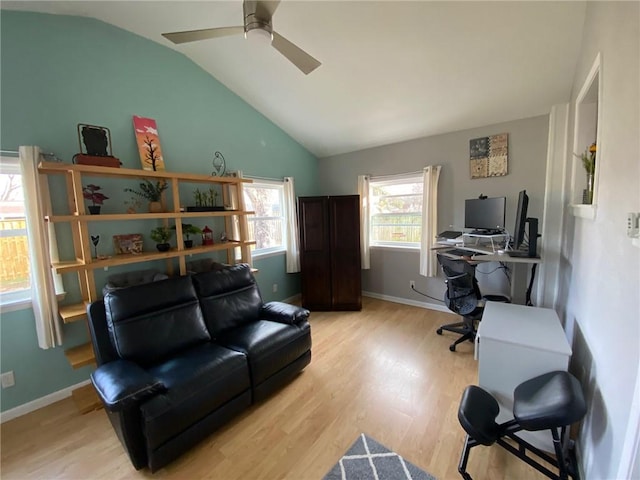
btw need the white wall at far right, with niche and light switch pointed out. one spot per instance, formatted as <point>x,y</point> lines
<point>600,269</point>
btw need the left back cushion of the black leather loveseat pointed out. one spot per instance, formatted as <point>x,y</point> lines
<point>152,321</point>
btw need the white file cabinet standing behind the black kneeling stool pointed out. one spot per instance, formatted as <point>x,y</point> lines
<point>515,343</point>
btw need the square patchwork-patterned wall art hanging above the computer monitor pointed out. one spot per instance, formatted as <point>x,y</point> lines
<point>489,156</point>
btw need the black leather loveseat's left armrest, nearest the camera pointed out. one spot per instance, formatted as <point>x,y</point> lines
<point>122,384</point>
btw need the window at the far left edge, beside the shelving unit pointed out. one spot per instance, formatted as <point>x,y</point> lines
<point>15,282</point>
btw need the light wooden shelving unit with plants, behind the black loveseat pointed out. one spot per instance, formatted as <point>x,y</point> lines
<point>84,265</point>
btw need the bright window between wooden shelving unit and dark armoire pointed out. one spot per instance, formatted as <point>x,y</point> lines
<point>267,226</point>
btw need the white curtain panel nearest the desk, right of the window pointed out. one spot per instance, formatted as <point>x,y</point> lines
<point>428,261</point>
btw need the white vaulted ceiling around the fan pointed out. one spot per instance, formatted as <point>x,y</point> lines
<point>391,70</point>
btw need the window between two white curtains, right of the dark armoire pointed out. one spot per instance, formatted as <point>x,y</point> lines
<point>396,211</point>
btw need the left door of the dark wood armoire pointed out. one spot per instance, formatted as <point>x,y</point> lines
<point>315,252</point>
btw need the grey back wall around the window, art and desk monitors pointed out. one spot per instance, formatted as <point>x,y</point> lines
<point>391,270</point>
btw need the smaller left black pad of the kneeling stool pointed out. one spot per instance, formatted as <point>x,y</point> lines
<point>477,414</point>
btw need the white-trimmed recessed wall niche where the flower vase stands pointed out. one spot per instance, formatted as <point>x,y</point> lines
<point>586,132</point>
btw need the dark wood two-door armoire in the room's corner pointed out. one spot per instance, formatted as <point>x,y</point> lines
<point>330,252</point>
